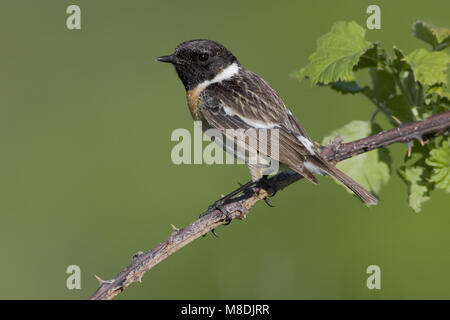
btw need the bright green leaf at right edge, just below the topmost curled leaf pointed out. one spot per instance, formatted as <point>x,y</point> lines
<point>429,67</point>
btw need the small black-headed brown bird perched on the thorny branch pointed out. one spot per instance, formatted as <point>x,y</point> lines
<point>224,95</point>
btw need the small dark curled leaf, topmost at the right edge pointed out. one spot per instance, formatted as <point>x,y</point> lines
<point>439,38</point>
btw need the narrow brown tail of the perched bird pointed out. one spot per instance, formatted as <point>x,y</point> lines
<point>357,189</point>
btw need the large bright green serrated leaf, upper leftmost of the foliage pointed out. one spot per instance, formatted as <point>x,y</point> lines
<point>337,53</point>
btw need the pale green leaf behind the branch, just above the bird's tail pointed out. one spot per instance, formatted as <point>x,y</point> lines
<point>370,169</point>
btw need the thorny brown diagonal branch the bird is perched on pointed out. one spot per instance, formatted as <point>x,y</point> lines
<point>142,262</point>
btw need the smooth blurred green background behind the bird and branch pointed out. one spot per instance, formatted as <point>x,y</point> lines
<point>86,177</point>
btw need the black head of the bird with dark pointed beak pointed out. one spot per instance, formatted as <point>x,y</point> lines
<point>199,60</point>
